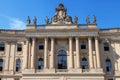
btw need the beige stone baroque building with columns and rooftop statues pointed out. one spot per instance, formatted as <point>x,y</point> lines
<point>61,49</point>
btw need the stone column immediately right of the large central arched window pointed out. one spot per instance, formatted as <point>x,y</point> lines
<point>70,53</point>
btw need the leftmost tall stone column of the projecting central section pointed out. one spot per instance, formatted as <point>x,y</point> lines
<point>25,52</point>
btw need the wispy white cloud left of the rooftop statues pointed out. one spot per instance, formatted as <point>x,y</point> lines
<point>16,24</point>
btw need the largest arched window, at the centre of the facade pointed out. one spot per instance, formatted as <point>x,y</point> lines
<point>62,59</point>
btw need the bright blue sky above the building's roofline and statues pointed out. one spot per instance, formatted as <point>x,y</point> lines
<point>13,13</point>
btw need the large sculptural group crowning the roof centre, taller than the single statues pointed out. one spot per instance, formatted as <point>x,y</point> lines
<point>61,16</point>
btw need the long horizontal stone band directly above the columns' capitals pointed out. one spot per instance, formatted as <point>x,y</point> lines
<point>59,34</point>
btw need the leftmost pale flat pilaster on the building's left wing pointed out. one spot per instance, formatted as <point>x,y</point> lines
<point>7,50</point>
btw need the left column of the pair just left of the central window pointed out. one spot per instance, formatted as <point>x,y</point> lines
<point>45,53</point>
